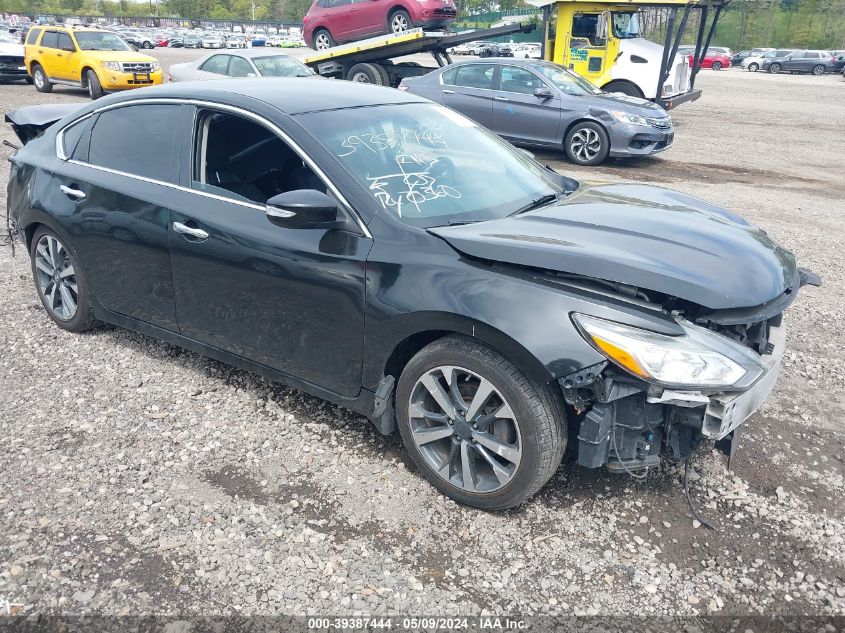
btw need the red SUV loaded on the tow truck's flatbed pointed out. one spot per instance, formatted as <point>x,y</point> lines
<point>330,22</point>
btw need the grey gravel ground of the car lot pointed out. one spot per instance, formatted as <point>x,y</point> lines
<point>138,478</point>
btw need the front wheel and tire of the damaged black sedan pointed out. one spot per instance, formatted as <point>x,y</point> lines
<point>478,429</point>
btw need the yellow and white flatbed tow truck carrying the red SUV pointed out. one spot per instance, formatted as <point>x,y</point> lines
<point>598,39</point>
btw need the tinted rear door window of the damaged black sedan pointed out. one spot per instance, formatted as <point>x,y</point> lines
<point>157,157</point>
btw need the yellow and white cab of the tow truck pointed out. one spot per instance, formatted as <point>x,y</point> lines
<point>601,40</point>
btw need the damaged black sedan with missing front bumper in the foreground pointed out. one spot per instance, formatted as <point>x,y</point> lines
<point>390,255</point>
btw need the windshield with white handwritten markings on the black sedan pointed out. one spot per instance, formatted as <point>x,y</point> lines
<point>428,165</point>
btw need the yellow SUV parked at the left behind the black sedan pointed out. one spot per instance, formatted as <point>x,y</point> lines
<point>97,60</point>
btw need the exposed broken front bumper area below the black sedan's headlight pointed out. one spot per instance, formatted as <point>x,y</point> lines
<point>625,424</point>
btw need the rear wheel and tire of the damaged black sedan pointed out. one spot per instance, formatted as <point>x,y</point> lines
<point>60,283</point>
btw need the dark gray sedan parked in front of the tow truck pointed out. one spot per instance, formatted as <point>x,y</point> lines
<point>540,104</point>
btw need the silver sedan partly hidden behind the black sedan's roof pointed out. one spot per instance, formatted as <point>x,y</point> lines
<point>240,63</point>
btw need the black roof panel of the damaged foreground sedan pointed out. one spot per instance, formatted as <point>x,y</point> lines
<point>297,96</point>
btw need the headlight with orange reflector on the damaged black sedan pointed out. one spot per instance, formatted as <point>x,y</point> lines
<point>699,358</point>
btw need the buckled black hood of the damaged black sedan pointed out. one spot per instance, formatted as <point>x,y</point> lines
<point>644,236</point>
